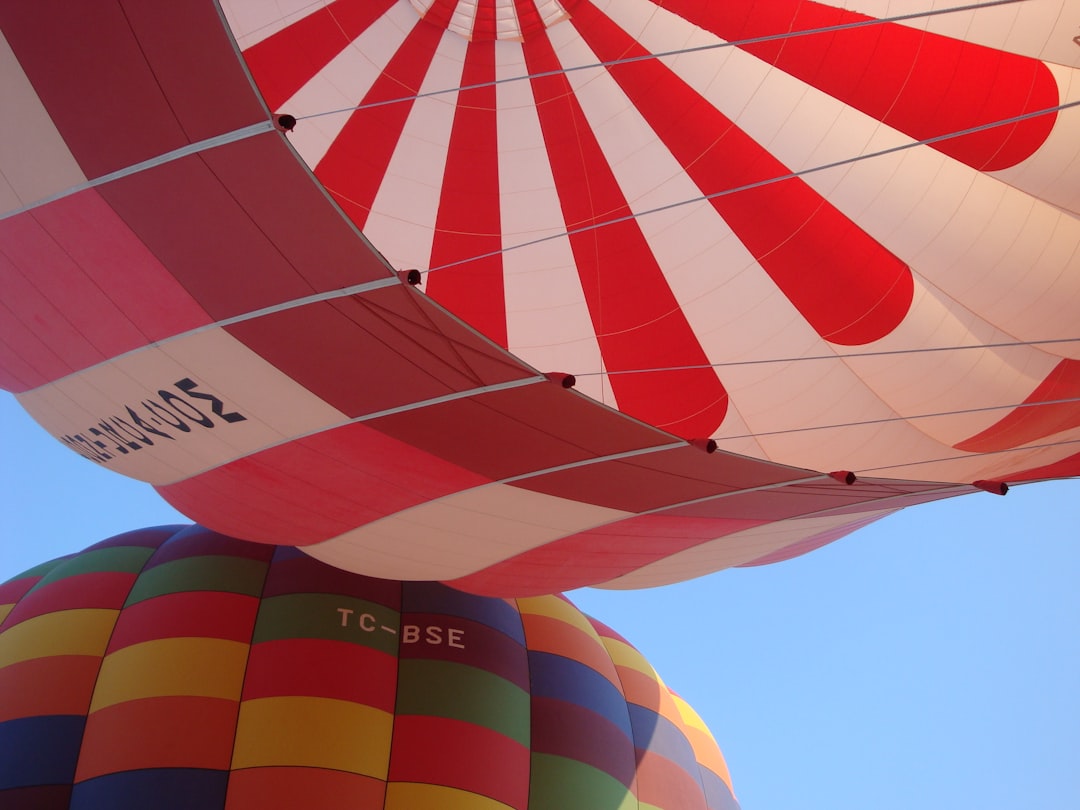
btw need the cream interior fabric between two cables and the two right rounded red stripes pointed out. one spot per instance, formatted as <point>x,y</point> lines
<point>997,252</point>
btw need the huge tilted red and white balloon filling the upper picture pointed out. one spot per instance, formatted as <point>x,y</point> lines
<point>328,276</point>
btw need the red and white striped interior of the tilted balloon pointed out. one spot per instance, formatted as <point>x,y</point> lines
<point>791,226</point>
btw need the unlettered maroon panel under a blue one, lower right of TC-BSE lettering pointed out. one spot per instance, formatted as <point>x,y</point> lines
<point>583,736</point>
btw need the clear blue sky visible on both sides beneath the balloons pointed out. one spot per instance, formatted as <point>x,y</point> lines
<point>931,661</point>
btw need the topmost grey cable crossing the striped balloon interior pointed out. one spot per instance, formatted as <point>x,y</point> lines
<point>666,55</point>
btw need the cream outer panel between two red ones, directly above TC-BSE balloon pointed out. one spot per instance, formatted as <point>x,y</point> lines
<point>461,534</point>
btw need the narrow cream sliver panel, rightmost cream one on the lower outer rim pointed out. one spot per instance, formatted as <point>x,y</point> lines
<point>737,549</point>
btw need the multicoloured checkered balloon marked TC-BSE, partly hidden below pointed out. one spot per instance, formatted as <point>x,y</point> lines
<point>173,668</point>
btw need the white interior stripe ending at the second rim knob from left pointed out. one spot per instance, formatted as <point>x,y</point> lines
<point>402,223</point>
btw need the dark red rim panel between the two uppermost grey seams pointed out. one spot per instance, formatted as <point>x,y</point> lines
<point>209,220</point>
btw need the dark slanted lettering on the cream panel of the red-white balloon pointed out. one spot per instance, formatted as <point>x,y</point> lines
<point>115,436</point>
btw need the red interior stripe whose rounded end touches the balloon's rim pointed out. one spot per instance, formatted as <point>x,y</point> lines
<point>638,321</point>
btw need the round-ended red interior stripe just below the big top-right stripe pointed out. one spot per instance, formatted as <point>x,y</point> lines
<point>848,287</point>
